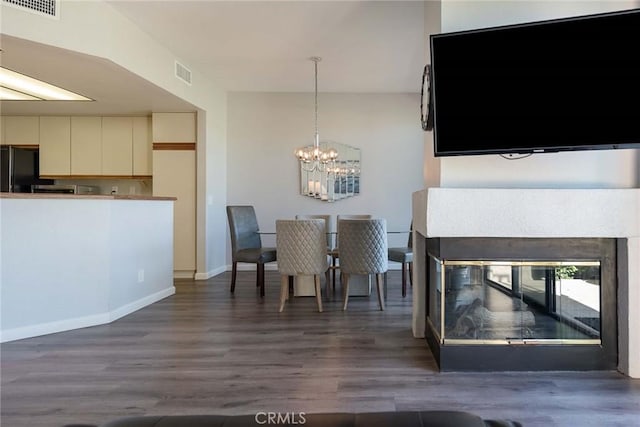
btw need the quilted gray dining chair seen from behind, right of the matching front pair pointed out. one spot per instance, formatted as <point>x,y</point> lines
<point>363,250</point>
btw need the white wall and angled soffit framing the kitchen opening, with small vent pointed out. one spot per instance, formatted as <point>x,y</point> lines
<point>95,28</point>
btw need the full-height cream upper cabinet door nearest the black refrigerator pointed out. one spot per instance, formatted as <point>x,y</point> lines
<point>55,146</point>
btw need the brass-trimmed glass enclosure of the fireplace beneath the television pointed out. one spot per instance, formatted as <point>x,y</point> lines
<point>515,301</point>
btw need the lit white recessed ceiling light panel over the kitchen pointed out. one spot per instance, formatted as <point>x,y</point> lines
<point>32,89</point>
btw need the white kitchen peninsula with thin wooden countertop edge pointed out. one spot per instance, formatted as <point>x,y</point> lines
<point>72,261</point>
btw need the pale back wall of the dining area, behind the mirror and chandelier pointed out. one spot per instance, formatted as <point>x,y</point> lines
<point>265,128</point>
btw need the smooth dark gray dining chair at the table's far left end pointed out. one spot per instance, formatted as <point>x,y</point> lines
<point>246,245</point>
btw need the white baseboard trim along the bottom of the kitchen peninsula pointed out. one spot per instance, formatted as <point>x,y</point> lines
<point>84,321</point>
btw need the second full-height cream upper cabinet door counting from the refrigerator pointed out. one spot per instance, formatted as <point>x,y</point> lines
<point>86,145</point>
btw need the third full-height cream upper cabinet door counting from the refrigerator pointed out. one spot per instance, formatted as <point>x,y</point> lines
<point>117,146</point>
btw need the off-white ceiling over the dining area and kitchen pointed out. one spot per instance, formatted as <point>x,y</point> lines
<point>366,46</point>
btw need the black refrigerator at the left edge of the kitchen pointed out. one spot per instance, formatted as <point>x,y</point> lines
<point>20,169</point>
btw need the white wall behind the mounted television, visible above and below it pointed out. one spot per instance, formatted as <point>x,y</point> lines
<point>590,169</point>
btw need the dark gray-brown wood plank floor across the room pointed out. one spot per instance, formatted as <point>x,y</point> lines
<point>205,351</point>
